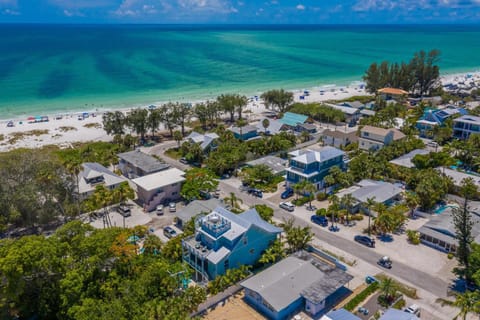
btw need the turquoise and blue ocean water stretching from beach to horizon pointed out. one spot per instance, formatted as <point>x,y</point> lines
<point>46,69</point>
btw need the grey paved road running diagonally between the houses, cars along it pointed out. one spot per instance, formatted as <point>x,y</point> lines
<point>420,278</point>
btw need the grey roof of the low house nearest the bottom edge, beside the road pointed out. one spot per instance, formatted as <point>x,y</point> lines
<point>294,277</point>
